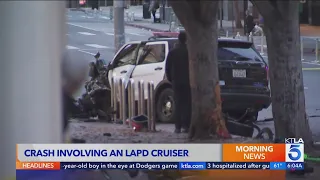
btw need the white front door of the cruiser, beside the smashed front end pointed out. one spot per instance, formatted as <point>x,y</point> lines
<point>124,62</point>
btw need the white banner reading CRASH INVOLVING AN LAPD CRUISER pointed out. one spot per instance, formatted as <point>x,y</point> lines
<point>119,152</point>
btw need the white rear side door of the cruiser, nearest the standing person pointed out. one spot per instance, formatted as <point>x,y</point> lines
<point>151,63</point>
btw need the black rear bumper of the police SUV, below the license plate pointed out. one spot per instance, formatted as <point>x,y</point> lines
<point>243,101</point>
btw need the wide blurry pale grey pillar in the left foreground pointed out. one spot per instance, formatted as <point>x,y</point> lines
<point>32,34</point>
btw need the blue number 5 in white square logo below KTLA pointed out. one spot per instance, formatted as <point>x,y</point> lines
<point>295,152</point>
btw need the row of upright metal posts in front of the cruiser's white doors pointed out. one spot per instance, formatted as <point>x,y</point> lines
<point>127,105</point>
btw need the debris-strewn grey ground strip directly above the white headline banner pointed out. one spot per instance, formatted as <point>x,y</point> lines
<point>96,132</point>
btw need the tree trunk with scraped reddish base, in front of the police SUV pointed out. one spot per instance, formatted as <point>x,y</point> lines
<point>200,22</point>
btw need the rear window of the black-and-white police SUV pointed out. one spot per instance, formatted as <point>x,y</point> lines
<point>237,51</point>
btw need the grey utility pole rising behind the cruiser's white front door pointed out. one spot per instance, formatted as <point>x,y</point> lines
<point>119,36</point>
